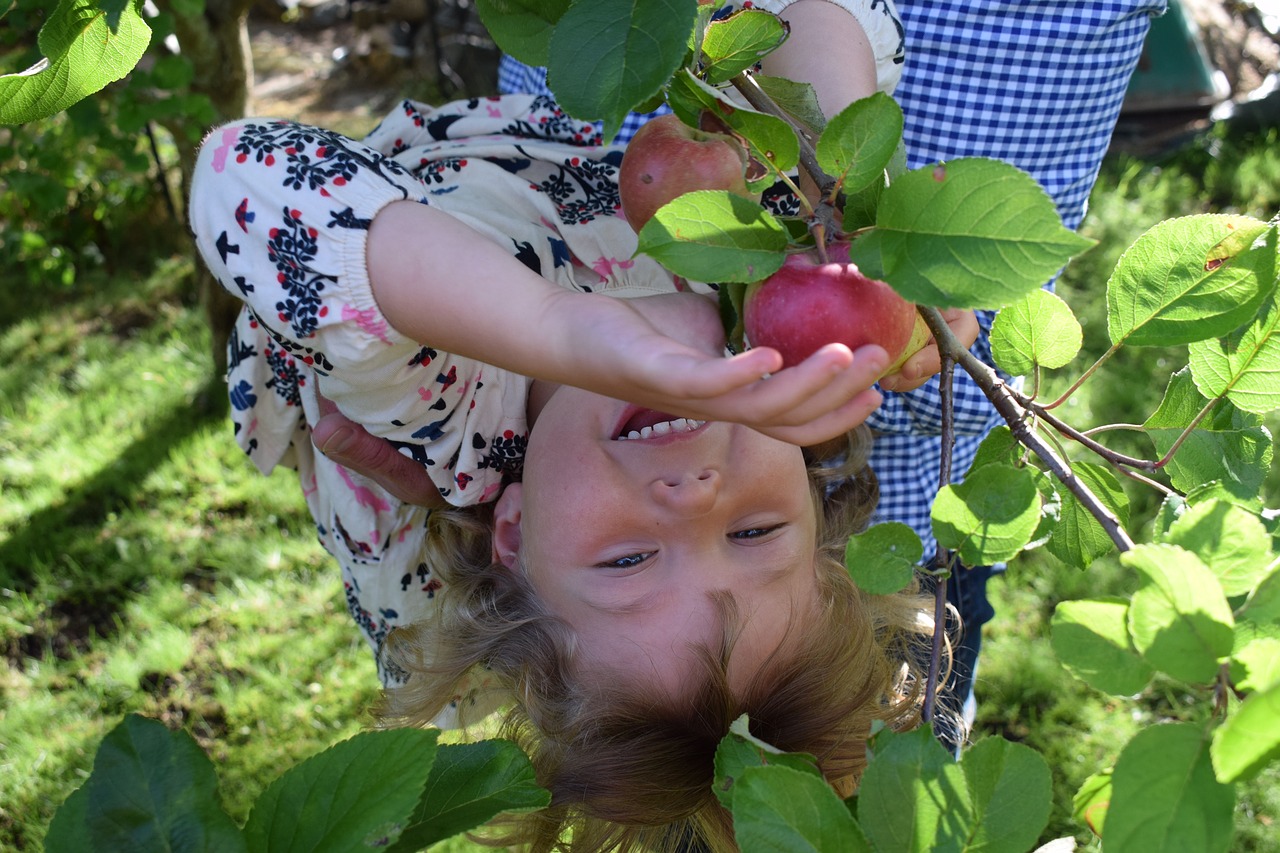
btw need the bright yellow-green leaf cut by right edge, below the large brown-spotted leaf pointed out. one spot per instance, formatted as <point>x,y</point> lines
<point>1246,364</point>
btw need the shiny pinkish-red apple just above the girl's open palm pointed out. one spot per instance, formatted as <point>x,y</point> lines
<point>808,304</point>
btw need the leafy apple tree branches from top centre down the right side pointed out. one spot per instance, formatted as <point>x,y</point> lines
<point>979,234</point>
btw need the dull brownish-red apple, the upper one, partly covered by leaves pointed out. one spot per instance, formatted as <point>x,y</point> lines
<point>668,158</point>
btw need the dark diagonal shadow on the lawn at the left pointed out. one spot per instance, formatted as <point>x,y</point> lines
<point>61,548</point>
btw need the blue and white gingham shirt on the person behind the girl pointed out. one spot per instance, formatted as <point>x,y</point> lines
<point>1039,85</point>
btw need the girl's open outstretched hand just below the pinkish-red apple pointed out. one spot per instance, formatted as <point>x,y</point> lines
<point>666,353</point>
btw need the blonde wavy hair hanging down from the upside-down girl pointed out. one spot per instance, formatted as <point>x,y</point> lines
<point>633,773</point>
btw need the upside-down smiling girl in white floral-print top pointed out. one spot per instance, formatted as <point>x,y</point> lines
<point>638,549</point>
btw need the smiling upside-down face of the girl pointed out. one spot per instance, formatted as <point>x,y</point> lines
<point>627,540</point>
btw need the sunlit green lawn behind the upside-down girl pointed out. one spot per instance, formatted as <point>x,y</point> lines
<point>145,567</point>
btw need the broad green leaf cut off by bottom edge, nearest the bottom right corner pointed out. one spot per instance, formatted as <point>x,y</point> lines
<point>1165,796</point>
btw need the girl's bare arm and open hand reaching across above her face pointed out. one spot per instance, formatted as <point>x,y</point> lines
<point>442,284</point>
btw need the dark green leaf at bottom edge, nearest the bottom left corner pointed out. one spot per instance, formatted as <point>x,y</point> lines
<point>154,790</point>
